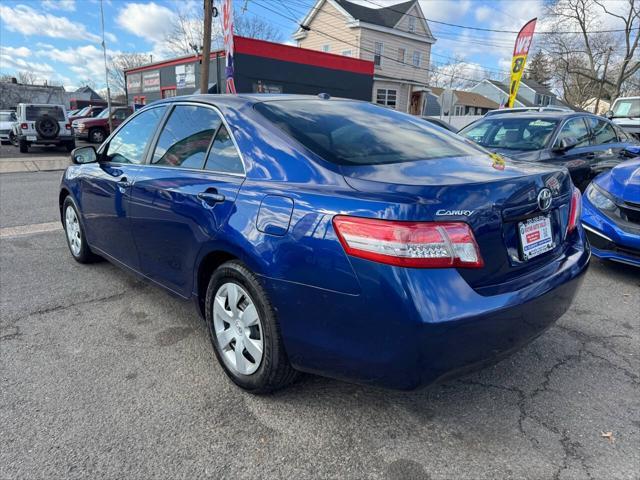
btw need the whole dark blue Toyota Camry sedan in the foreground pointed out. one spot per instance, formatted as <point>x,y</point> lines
<point>330,236</point>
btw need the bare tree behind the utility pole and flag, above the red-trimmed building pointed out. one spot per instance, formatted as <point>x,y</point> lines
<point>185,36</point>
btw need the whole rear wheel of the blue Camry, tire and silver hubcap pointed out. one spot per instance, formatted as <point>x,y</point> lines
<point>244,330</point>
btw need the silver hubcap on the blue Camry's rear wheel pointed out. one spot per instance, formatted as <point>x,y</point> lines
<point>238,329</point>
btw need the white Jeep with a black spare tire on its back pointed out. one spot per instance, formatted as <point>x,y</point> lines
<point>42,124</point>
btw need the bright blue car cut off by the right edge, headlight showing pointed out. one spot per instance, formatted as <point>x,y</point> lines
<point>611,214</point>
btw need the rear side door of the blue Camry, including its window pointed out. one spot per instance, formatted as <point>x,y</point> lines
<point>184,194</point>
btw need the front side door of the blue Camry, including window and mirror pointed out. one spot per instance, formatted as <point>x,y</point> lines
<point>106,192</point>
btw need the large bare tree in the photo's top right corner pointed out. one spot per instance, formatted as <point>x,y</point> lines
<point>578,58</point>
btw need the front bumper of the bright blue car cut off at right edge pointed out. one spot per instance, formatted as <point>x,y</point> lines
<point>608,240</point>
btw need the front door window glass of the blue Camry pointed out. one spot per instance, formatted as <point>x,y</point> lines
<point>129,144</point>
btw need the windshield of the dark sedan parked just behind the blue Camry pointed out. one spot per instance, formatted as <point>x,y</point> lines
<point>511,133</point>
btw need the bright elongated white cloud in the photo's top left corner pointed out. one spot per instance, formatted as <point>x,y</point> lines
<point>27,21</point>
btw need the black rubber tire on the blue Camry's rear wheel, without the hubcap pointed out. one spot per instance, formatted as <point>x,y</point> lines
<point>275,370</point>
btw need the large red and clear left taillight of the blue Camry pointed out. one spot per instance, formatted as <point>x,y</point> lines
<point>409,244</point>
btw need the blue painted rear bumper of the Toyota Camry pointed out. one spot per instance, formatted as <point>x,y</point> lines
<point>413,327</point>
